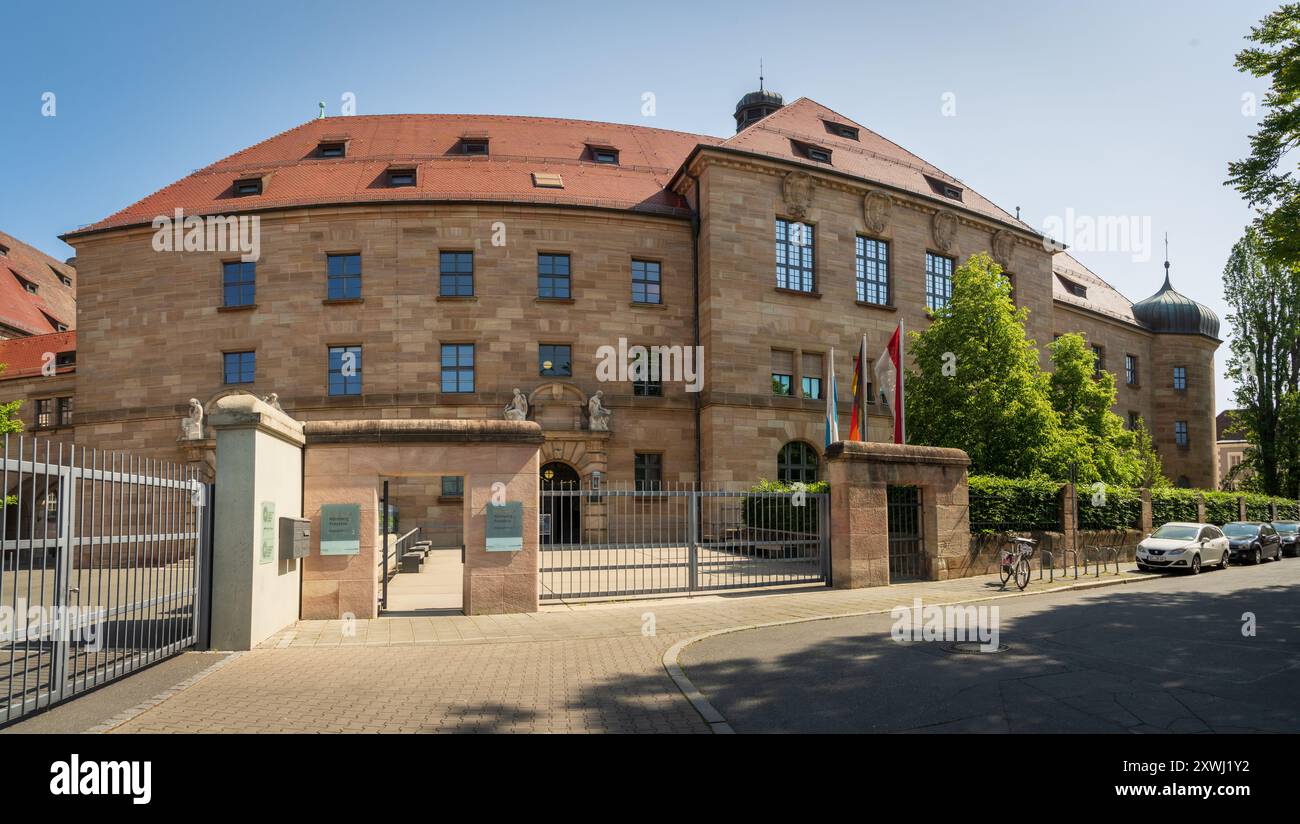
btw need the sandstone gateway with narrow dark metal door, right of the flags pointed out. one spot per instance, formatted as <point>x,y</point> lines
<point>861,475</point>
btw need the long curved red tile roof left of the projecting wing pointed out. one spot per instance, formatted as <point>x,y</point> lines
<point>518,148</point>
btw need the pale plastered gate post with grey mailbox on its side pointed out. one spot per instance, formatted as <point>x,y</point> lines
<point>259,472</point>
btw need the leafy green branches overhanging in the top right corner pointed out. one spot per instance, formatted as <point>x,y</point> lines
<point>1266,177</point>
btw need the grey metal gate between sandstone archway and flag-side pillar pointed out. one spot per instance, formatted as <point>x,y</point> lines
<point>678,539</point>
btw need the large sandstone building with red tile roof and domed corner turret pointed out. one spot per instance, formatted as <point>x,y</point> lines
<point>428,266</point>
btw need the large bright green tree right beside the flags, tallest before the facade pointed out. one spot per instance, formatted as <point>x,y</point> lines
<point>978,384</point>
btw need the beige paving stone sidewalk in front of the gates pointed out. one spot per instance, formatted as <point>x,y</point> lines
<point>569,669</point>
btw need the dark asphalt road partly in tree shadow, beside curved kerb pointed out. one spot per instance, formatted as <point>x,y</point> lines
<point>1160,656</point>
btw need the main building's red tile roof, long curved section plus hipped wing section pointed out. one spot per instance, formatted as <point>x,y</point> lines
<point>649,161</point>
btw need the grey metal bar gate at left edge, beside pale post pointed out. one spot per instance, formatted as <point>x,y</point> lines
<point>102,569</point>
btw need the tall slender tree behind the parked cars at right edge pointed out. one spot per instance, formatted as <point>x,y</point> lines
<point>1264,310</point>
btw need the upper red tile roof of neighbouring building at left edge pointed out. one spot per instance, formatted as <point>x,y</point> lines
<point>53,303</point>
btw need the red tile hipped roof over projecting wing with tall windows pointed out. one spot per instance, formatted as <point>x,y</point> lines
<point>872,157</point>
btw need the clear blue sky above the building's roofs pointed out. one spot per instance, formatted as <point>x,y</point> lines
<point>1128,109</point>
